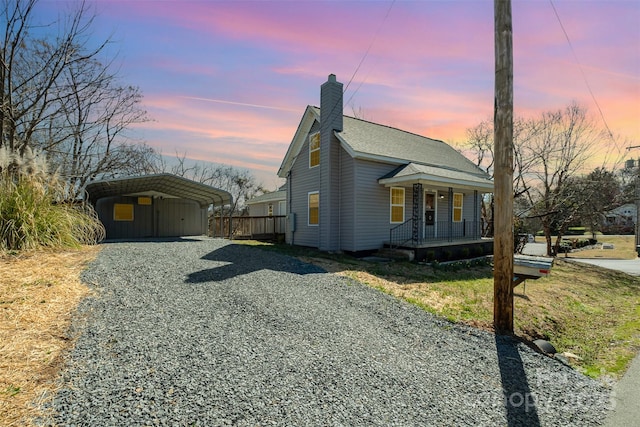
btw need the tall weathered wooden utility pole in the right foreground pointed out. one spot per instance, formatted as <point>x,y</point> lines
<point>503,170</point>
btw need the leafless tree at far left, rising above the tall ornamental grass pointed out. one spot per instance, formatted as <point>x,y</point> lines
<point>30,69</point>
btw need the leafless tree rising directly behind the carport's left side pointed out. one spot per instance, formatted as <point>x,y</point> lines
<point>91,141</point>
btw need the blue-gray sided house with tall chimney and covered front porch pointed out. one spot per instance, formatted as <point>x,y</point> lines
<point>357,186</point>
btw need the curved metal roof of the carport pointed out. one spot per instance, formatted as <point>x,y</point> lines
<point>160,185</point>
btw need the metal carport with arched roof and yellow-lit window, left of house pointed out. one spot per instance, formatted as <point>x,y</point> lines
<point>158,205</point>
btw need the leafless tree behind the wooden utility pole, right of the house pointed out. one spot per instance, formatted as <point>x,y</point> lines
<point>549,152</point>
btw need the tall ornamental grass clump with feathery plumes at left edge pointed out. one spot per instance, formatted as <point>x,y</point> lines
<point>33,210</point>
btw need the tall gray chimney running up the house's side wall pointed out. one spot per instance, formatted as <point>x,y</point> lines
<point>331,112</point>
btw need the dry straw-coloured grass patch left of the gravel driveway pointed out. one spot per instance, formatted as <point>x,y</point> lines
<point>39,291</point>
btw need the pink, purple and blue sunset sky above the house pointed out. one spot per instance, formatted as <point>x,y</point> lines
<point>228,81</point>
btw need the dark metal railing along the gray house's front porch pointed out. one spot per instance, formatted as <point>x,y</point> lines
<point>443,231</point>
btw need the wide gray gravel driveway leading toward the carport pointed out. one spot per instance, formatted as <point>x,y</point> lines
<point>208,333</point>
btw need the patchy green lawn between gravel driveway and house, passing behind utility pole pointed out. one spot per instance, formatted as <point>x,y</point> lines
<point>589,312</point>
